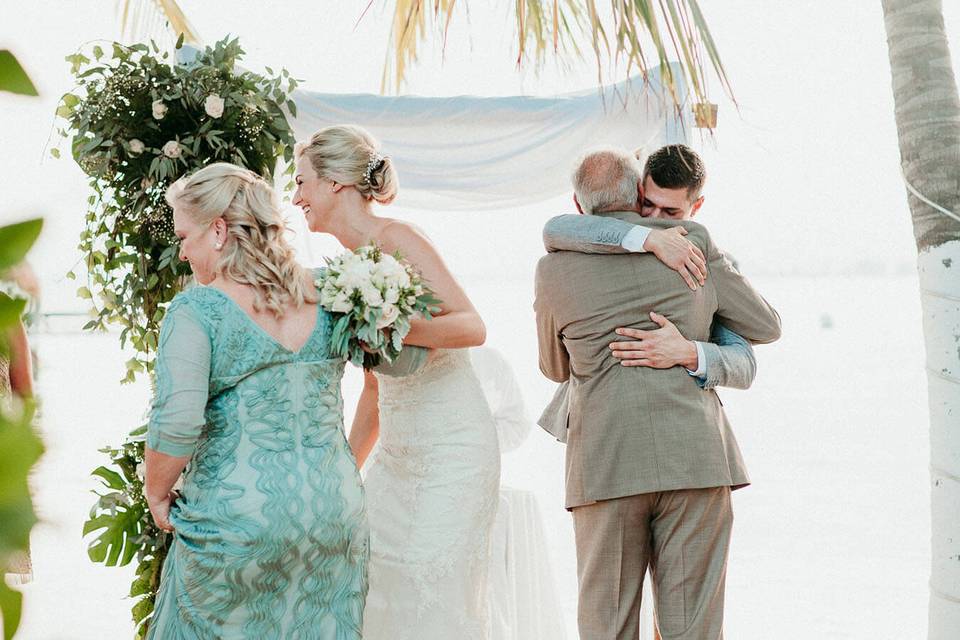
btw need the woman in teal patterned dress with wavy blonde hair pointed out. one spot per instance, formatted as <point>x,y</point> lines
<point>270,532</point>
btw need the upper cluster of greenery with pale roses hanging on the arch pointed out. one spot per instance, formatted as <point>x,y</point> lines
<point>136,123</point>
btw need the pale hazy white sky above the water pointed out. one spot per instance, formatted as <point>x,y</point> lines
<point>804,179</point>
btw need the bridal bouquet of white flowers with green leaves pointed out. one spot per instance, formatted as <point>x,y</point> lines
<point>372,296</point>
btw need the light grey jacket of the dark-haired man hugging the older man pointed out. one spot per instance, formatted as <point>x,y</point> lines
<point>729,360</point>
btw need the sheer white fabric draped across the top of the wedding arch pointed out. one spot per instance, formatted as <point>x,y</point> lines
<point>472,153</point>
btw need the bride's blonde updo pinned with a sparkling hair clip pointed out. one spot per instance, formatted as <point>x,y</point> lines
<point>348,154</point>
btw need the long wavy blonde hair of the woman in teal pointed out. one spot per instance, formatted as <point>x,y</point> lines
<point>256,252</point>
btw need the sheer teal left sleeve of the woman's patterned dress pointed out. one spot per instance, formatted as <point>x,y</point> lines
<point>182,378</point>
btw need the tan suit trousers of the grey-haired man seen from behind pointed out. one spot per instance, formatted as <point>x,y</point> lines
<point>682,536</point>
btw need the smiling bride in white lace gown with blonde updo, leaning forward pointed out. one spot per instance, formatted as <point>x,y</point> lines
<point>432,481</point>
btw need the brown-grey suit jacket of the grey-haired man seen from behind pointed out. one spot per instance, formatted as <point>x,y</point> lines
<point>633,429</point>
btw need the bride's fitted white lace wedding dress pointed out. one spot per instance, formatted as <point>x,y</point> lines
<point>432,486</point>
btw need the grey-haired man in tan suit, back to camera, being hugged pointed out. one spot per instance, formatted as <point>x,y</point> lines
<point>651,459</point>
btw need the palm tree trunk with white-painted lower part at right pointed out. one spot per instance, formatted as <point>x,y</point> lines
<point>927,110</point>
